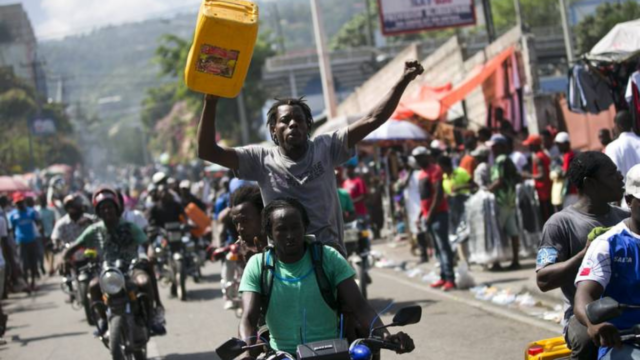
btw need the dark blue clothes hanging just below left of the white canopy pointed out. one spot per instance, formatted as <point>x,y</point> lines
<point>588,90</point>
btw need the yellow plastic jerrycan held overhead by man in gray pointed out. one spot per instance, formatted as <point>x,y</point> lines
<point>222,48</point>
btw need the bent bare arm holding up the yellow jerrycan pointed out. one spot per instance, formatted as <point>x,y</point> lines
<point>208,148</point>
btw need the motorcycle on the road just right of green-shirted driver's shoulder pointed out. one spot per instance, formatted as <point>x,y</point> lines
<point>358,245</point>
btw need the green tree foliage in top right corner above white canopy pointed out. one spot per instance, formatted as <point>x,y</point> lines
<point>593,27</point>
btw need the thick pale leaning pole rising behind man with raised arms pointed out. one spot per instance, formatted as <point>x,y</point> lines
<point>326,74</point>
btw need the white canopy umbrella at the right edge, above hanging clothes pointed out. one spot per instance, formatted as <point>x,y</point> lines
<point>622,42</point>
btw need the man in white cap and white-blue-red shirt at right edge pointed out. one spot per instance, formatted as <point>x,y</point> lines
<point>610,269</point>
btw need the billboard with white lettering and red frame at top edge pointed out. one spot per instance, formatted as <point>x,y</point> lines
<point>408,16</point>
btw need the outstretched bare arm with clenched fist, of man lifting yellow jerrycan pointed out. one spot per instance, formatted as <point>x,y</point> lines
<point>383,111</point>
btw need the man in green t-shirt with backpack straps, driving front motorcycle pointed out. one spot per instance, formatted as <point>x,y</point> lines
<point>295,312</point>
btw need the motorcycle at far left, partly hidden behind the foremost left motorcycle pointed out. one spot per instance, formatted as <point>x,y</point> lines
<point>76,282</point>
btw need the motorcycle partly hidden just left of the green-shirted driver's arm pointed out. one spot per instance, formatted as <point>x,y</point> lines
<point>230,255</point>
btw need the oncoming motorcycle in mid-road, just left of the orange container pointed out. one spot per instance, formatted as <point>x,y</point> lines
<point>177,257</point>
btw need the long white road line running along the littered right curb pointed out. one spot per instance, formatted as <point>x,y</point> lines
<point>475,303</point>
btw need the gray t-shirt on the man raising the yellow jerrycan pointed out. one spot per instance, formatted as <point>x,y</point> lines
<point>310,180</point>
